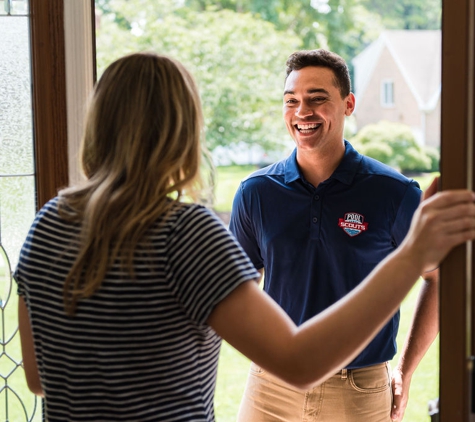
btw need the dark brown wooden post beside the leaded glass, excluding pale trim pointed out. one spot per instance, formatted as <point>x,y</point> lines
<point>49,97</point>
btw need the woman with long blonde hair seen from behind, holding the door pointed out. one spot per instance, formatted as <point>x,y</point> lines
<point>126,292</point>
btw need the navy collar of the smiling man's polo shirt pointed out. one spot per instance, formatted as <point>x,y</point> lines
<point>344,173</point>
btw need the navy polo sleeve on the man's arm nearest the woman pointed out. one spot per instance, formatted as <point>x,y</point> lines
<point>241,226</point>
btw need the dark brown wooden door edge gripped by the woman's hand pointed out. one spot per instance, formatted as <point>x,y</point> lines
<point>457,137</point>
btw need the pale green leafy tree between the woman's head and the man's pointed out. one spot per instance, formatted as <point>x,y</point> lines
<point>237,59</point>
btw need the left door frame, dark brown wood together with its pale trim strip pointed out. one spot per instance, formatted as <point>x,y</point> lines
<point>62,34</point>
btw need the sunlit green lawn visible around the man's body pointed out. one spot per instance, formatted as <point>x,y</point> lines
<point>233,367</point>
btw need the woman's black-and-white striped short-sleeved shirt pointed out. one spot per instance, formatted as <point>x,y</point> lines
<point>137,350</point>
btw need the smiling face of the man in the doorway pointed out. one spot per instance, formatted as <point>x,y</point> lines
<point>314,111</point>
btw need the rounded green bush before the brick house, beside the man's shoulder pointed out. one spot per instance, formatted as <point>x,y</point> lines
<point>394,144</point>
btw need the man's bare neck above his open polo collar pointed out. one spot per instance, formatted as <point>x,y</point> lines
<point>318,166</point>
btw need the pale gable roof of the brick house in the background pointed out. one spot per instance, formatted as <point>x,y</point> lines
<point>417,53</point>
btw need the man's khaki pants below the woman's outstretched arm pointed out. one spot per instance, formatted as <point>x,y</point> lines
<point>353,395</point>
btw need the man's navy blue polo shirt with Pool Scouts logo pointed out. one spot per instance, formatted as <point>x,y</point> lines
<point>317,243</point>
